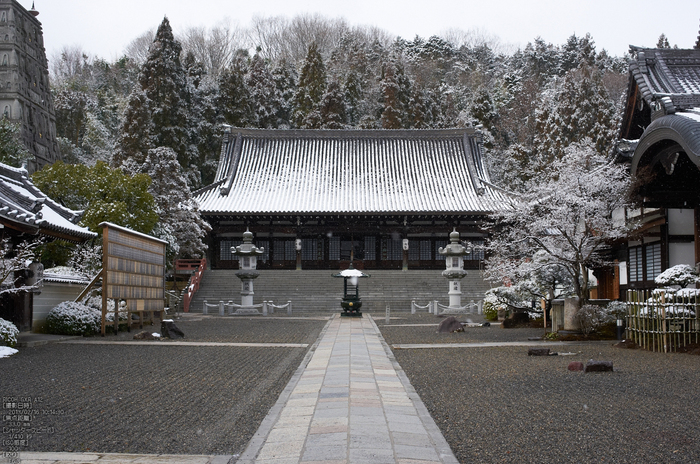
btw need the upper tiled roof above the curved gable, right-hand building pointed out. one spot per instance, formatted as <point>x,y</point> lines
<point>670,73</point>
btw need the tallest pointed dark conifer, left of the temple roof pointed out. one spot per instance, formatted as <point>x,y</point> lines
<point>164,81</point>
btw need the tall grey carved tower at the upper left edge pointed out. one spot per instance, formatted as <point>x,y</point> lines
<point>25,95</point>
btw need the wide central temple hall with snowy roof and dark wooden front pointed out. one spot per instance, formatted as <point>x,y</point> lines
<point>319,199</point>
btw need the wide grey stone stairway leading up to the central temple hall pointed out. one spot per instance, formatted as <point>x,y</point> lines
<point>311,290</point>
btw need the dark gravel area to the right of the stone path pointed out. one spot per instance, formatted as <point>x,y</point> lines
<point>499,405</point>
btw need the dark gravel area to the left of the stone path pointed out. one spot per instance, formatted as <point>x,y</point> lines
<point>159,399</point>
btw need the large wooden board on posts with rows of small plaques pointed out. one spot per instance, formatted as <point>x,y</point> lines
<point>133,271</point>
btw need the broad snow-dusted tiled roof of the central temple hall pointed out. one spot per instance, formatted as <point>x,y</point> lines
<point>351,172</point>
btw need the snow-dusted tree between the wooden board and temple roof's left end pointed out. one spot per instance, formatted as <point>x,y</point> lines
<point>180,223</point>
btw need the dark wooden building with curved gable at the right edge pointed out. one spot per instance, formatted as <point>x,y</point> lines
<point>661,133</point>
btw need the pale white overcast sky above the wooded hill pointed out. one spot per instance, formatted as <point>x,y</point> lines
<point>104,28</point>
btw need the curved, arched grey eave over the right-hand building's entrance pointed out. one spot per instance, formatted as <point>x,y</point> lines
<point>684,129</point>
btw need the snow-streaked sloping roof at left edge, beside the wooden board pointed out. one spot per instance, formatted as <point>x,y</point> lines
<point>24,207</point>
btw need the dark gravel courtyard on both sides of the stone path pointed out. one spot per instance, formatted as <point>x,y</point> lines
<point>492,404</point>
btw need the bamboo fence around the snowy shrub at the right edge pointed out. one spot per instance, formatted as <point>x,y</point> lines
<point>661,321</point>
